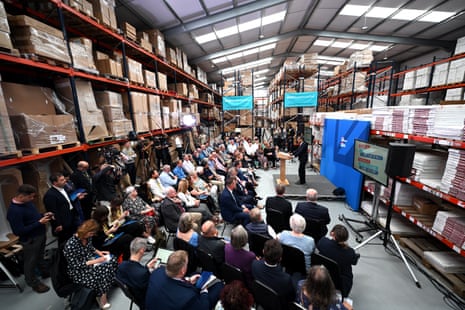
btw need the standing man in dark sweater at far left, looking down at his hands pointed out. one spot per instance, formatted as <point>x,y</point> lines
<point>29,225</point>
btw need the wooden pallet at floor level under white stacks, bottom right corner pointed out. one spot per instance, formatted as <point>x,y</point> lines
<point>417,246</point>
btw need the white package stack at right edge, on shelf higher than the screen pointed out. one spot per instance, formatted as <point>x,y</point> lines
<point>449,122</point>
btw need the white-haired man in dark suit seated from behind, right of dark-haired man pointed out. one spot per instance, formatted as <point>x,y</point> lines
<point>314,214</point>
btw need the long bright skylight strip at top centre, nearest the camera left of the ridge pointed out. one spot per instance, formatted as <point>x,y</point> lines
<point>253,24</point>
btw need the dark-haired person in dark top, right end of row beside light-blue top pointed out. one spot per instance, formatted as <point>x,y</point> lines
<point>337,249</point>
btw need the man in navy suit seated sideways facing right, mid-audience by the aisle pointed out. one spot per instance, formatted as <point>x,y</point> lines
<point>231,210</point>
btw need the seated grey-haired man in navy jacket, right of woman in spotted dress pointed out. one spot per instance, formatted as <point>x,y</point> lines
<point>132,273</point>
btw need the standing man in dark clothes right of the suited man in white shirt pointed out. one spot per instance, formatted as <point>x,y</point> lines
<point>81,179</point>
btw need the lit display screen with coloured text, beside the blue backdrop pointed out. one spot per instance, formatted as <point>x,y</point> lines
<point>370,160</point>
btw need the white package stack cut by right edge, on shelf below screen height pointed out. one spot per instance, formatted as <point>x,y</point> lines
<point>453,180</point>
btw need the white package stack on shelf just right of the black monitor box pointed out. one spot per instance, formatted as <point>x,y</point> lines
<point>429,168</point>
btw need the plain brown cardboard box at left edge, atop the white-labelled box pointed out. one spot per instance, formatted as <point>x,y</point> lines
<point>28,99</point>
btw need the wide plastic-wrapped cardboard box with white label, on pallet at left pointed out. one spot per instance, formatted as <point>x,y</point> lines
<point>38,131</point>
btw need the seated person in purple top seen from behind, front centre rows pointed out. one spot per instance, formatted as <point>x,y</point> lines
<point>236,255</point>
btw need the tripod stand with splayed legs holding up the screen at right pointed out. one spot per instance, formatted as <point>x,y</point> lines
<point>387,233</point>
